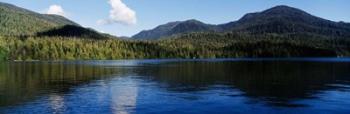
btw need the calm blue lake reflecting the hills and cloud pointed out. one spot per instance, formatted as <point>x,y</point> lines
<point>296,85</point>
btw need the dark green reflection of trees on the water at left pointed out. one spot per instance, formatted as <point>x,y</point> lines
<point>21,81</point>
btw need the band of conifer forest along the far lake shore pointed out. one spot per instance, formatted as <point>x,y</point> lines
<point>194,45</point>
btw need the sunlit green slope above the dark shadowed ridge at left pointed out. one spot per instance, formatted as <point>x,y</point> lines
<point>15,21</point>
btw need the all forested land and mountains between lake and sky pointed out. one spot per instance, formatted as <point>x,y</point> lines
<point>278,32</point>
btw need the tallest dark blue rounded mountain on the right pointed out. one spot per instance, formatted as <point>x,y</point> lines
<point>287,20</point>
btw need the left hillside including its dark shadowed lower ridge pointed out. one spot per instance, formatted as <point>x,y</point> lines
<point>16,21</point>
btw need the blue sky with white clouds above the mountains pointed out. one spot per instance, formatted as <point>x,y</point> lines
<point>128,17</point>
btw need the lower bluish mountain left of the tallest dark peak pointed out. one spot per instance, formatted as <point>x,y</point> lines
<point>173,28</point>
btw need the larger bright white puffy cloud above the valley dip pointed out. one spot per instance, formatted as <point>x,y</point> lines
<point>120,13</point>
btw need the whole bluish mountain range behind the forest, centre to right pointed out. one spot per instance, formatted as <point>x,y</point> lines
<point>279,20</point>
